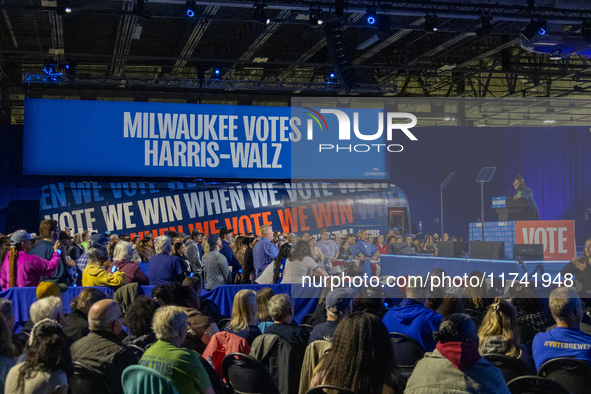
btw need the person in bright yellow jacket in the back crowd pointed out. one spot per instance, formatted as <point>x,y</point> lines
<point>99,271</point>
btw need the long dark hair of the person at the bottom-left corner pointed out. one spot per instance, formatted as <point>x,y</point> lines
<point>48,350</point>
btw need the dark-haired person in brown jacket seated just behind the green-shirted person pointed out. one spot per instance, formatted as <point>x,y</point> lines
<point>201,328</point>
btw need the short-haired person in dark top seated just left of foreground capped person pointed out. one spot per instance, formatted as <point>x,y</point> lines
<point>281,310</point>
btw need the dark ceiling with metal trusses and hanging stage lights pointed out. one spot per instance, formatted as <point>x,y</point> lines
<point>170,57</point>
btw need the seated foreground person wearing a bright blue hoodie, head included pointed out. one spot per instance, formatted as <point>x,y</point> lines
<point>412,317</point>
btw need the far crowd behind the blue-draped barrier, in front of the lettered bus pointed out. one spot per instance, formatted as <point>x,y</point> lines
<point>93,259</point>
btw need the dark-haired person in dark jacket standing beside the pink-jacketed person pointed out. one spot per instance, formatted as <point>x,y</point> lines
<point>50,234</point>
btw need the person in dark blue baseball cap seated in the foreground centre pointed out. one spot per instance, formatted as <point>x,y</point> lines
<point>339,303</point>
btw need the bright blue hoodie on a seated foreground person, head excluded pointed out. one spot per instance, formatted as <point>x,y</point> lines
<point>415,320</point>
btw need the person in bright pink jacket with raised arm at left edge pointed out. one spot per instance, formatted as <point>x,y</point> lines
<point>20,269</point>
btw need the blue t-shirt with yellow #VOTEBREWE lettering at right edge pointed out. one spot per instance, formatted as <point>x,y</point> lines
<point>561,342</point>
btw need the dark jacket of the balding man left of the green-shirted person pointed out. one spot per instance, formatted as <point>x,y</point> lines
<point>104,352</point>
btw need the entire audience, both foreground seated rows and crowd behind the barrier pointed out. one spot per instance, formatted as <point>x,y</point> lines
<point>345,342</point>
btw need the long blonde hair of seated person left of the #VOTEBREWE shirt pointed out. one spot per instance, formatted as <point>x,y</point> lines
<point>501,320</point>
